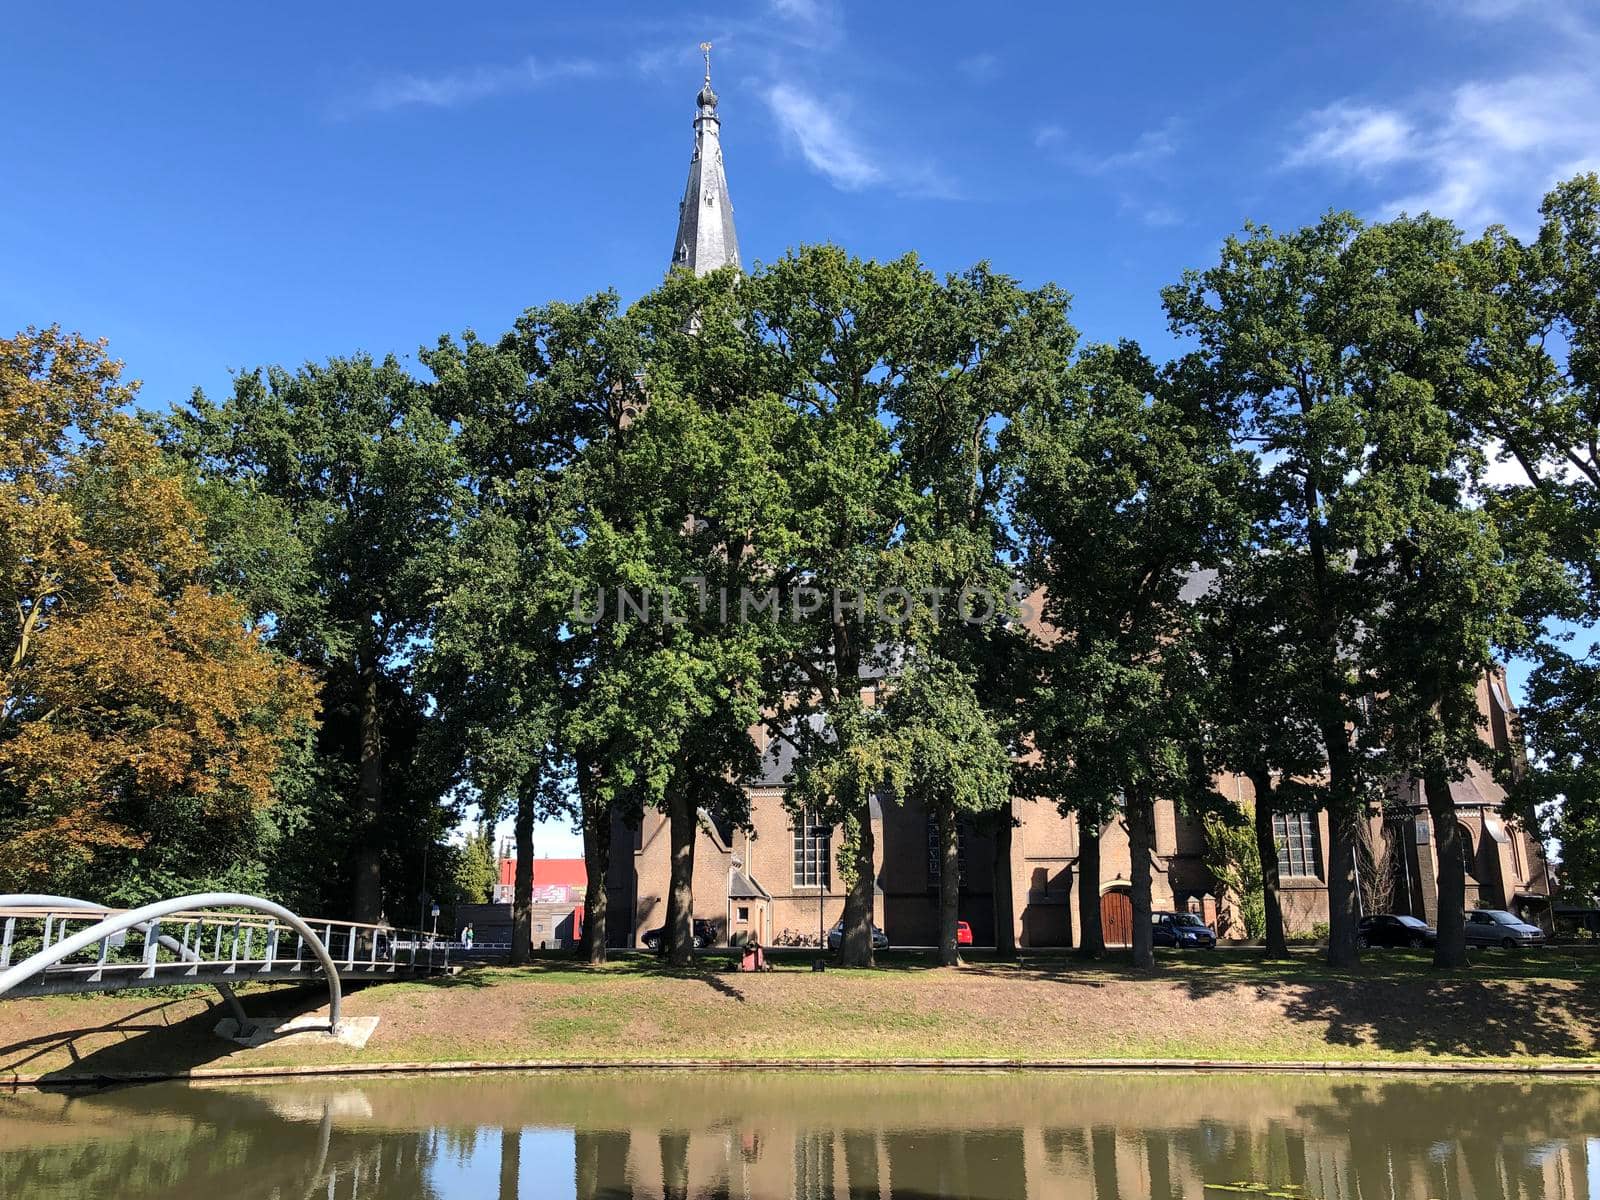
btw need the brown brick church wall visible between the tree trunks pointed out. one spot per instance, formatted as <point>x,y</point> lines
<point>1044,865</point>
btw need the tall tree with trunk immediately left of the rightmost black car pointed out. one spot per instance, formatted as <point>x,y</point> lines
<point>1278,322</point>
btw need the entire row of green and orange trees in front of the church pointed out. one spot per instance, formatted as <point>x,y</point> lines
<point>574,570</point>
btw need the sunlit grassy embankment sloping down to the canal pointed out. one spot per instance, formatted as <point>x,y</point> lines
<point>1234,1006</point>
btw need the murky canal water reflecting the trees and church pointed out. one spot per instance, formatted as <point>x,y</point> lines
<point>794,1135</point>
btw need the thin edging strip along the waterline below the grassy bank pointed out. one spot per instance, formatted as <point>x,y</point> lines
<point>1588,1070</point>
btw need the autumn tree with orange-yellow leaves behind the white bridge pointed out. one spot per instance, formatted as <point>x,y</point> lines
<point>142,718</point>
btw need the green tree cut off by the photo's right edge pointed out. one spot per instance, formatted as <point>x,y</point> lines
<point>1546,425</point>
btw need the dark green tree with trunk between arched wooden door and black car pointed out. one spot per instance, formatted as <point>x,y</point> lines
<point>1129,487</point>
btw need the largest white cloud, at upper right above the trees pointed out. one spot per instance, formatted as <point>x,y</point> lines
<point>1482,153</point>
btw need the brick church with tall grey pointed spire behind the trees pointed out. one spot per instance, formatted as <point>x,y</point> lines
<point>778,881</point>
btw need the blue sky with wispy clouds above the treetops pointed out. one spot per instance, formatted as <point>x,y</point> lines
<point>220,186</point>
